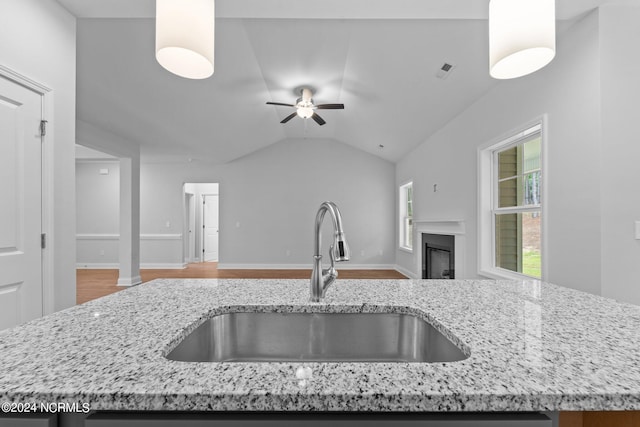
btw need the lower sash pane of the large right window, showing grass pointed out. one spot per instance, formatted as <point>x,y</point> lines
<point>518,243</point>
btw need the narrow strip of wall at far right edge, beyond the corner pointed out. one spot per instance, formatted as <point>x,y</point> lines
<point>620,69</point>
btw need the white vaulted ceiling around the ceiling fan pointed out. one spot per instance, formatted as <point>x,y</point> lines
<point>380,60</point>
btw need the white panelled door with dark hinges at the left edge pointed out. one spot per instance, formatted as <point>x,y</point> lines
<point>20,204</point>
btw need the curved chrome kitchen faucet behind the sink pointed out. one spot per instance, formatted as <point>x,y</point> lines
<point>321,278</point>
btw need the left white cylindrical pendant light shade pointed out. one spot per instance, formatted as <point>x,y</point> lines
<point>185,37</point>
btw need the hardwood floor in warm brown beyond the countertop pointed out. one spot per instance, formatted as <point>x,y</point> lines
<point>92,284</point>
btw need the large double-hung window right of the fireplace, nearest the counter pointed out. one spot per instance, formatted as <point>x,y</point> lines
<point>511,205</point>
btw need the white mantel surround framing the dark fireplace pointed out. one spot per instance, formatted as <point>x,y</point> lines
<point>453,227</point>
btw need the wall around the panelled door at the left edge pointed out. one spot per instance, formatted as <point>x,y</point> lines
<point>38,40</point>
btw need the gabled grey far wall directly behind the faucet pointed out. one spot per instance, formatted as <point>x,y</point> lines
<point>274,194</point>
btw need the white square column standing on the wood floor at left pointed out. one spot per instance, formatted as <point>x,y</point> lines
<point>129,249</point>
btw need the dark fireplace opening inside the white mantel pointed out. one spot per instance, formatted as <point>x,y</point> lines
<point>438,256</point>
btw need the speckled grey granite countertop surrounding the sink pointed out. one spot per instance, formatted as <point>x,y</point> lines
<point>533,346</point>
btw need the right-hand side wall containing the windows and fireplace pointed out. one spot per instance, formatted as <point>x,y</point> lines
<point>568,92</point>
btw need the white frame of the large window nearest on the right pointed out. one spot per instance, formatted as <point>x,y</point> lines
<point>487,189</point>
